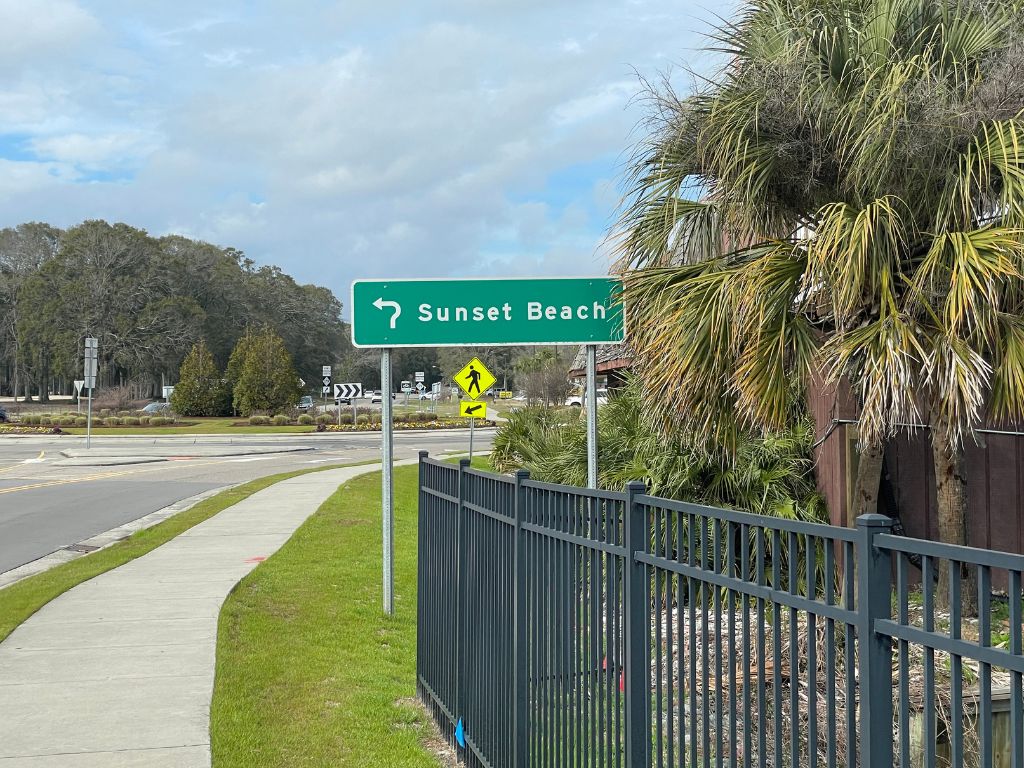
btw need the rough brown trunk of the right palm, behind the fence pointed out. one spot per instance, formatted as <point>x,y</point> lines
<point>951,496</point>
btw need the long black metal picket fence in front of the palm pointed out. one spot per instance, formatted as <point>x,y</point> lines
<point>567,627</point>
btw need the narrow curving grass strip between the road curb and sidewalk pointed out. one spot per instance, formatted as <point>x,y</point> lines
<point>24,599</point>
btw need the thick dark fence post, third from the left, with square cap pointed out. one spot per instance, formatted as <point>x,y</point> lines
<point>521,675</point>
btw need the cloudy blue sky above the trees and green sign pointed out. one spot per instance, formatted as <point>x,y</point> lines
<point>339,141</point>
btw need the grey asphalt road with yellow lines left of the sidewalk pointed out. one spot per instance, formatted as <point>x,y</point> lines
<point>47,505</point>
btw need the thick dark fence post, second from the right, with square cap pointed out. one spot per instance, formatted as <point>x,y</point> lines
<point>636,612</point>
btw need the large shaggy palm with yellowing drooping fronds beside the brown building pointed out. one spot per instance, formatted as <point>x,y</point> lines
<point>846,196</point>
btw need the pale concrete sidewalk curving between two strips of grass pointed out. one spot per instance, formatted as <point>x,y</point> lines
<point>119,671</point>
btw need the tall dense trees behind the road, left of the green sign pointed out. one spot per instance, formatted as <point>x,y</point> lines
<point>148,301</point>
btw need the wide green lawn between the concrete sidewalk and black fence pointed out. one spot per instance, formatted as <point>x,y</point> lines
<point>310,672</point>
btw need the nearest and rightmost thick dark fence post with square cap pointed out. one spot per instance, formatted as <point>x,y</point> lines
<point>876,672</point>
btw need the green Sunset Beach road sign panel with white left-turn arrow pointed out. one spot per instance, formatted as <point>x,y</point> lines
<point>488,312</point>
